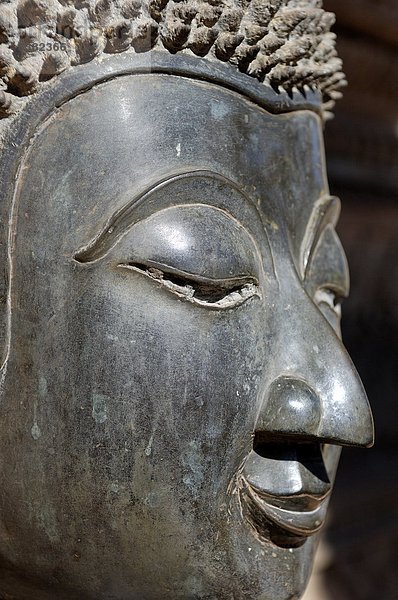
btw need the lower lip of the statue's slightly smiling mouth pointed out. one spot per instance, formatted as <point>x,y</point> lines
<point>300,524</point>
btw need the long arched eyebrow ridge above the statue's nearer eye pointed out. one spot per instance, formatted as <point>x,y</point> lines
<point>141,206</point>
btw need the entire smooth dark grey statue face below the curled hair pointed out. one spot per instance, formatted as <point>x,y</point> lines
<point>176,391</point>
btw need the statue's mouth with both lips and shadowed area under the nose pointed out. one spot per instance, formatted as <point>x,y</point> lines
<point>285,489</point>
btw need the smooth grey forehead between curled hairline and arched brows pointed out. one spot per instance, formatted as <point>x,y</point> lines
<point>101,149</point>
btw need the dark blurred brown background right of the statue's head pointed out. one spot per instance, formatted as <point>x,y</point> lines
<point>359,558</point>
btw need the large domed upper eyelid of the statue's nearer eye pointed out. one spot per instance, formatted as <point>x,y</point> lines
<point>195,242</point>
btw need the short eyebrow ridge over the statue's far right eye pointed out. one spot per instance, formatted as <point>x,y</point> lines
<point>326,212</point>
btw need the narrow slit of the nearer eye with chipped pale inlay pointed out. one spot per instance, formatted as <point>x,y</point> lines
<point>202,291</point>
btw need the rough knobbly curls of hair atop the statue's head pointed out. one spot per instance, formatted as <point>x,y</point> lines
<point>285,44</point>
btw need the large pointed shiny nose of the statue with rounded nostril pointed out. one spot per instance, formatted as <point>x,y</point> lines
<point>315,390</point>
